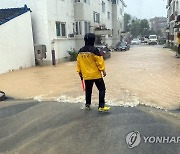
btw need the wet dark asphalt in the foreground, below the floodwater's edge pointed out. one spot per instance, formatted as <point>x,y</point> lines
<point>63,128</point>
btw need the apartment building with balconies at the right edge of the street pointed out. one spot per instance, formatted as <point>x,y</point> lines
<point>173,15</point>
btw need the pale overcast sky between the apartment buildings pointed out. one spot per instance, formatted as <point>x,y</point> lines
<point>146,9</point>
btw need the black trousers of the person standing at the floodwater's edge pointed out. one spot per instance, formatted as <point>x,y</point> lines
<point>100,86</point>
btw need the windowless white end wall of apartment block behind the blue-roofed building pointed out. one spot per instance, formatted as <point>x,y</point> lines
<point>39,19</point>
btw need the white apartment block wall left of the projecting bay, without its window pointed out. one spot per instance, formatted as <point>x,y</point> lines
<point>44,15</point>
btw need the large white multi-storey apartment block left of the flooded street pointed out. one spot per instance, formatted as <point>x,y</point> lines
<point>62,24</point>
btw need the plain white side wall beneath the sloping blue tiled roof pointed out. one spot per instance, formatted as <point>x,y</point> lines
<point>16,44</point>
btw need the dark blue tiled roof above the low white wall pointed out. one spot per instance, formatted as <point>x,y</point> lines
<point>10,13</point>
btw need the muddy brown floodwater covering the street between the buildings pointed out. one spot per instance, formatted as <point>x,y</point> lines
<point>143,75</point>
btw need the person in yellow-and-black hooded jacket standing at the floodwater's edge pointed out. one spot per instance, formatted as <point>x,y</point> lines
<point>91,67</point>
